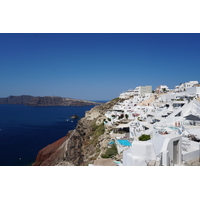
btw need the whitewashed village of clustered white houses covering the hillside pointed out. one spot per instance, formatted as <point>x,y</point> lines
<point>170,119</point>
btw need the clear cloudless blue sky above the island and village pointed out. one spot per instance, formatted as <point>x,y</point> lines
<point>95,66</point>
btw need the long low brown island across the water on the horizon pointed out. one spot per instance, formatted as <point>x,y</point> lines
<point>28,100</point>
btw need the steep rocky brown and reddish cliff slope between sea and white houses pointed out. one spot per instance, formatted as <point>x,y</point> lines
<point>81,146</point>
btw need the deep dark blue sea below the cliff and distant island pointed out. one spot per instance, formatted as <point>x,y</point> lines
<point>25,130</point>
